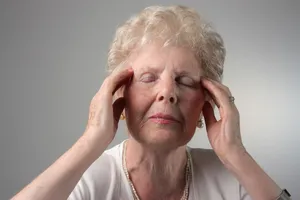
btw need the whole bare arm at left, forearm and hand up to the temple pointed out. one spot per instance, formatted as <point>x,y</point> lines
<point>59,180</point>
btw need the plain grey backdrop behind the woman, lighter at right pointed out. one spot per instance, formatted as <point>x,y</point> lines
<point>53,58</point>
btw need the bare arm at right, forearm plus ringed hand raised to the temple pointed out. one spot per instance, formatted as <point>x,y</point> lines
<point>225,138</point>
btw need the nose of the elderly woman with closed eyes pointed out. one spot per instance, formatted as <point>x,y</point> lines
<point>167,91</point>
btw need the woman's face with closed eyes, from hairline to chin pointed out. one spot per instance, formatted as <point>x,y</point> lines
<point>165,98</point>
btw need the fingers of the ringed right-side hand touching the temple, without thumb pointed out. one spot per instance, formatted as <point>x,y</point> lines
<point>219,93</point>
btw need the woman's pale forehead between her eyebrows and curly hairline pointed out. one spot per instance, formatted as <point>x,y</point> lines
<point>156,56</point>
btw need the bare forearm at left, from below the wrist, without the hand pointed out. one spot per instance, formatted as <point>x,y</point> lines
<point>58,181</point>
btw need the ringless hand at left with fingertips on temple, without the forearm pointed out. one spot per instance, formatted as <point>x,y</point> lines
<point>104,114</point>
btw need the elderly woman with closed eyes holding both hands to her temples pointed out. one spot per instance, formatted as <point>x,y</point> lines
<point>166,68</point>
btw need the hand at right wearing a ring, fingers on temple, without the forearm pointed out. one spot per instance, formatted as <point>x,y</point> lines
<point>224,135</point>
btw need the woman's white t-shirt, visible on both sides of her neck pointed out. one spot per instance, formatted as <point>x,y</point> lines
<point>106,180</point>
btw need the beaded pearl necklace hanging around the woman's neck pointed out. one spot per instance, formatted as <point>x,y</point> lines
<point>188,175</point>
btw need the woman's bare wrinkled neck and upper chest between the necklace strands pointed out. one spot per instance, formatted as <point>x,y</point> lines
<point>156,173</point>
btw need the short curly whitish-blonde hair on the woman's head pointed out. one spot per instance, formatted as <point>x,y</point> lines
<point>174,25</point>
